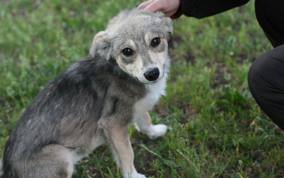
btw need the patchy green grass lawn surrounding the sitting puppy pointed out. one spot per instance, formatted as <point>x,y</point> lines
<point>217,128</point>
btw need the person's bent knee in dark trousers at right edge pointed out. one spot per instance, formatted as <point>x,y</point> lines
<point>266,83</point>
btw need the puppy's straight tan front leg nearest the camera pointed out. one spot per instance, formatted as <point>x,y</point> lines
<point>118,138</point>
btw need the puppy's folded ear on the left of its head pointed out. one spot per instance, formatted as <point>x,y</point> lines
<point>101,45</point>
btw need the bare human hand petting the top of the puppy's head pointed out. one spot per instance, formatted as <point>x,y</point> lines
<point>168,7</point>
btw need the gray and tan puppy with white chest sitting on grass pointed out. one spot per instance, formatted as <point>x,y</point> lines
<point>94,101</point>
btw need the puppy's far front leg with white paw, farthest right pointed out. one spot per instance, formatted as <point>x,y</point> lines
<point>144,123</point>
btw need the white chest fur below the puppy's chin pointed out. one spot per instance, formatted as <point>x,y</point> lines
<point>153,93</point>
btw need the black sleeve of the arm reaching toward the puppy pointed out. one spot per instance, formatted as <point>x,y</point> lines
<point>205,8</point>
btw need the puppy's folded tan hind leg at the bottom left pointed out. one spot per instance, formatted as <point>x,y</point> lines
<point>53,161</point>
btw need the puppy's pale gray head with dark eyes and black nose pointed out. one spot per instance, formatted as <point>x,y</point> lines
<point>138,42</point>
